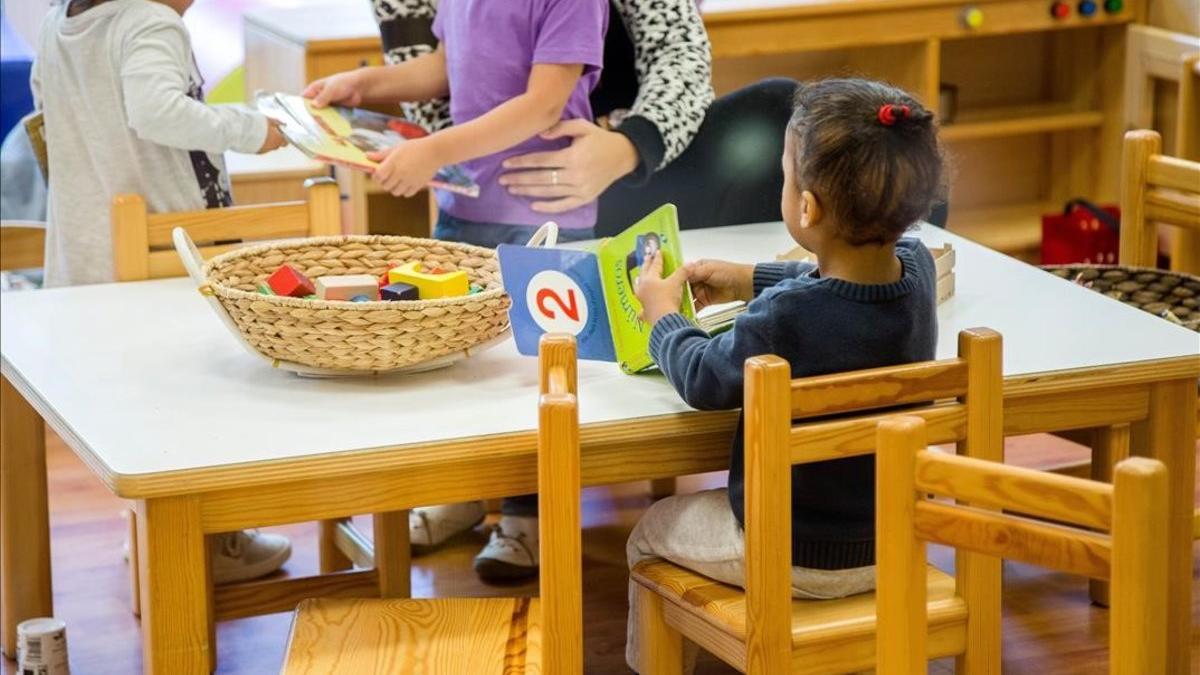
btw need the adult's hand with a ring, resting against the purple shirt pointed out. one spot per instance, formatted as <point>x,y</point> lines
<point>566,180</point>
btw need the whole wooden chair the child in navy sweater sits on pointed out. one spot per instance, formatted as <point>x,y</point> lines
<point>763,630</point>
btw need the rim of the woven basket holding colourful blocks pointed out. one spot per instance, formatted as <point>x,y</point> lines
<point>224,291</point>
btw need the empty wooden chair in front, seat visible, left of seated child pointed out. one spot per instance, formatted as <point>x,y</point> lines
<point>477,636</point>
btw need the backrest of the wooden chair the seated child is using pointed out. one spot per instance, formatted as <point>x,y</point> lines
<point>775,402</point>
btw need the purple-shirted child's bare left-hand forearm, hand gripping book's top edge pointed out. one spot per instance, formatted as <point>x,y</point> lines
<point>419,80</point>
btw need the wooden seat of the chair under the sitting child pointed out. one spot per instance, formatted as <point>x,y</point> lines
<point>835,636</point>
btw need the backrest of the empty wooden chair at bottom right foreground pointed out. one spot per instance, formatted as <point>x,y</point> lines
<point>1133,509</point>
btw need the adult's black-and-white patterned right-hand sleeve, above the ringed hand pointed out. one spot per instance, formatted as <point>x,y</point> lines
<point>675,70</point>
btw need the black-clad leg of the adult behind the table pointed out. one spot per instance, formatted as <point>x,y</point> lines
<point>730,174</point>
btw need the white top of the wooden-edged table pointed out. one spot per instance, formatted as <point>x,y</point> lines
<point>146,379</point>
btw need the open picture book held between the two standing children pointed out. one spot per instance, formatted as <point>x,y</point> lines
<point>345,136</point>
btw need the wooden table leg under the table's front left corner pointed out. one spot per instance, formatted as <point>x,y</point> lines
<point>176,588</point>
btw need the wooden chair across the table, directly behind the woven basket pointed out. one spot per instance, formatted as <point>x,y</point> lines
<point>143,249</point>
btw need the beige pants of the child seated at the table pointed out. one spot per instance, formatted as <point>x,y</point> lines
<point>700,533</point>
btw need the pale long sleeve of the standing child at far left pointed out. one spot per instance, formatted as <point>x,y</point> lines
<point>157,81</point>
